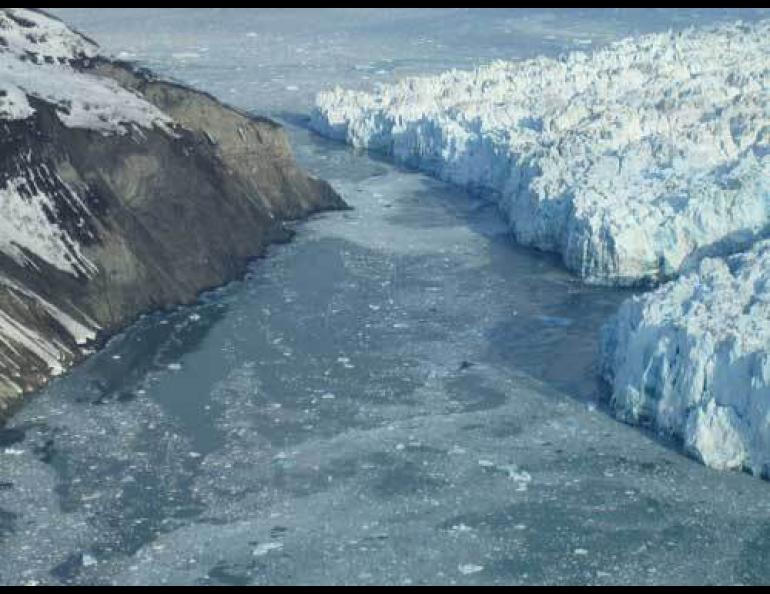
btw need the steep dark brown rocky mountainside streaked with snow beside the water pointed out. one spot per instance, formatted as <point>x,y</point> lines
<point>120,193</point>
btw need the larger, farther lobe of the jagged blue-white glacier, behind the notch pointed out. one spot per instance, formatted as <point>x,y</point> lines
<point>633,161</point>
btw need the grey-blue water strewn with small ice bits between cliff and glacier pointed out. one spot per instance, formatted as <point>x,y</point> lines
<point>400,395</point>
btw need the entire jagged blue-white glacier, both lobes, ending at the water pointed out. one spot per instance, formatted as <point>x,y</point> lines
<point>641,162</point>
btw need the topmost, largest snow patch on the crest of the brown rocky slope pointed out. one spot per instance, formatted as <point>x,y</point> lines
<point>36,59</point>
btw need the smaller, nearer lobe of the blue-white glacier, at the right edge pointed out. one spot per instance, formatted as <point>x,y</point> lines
<point>692,358</point>
